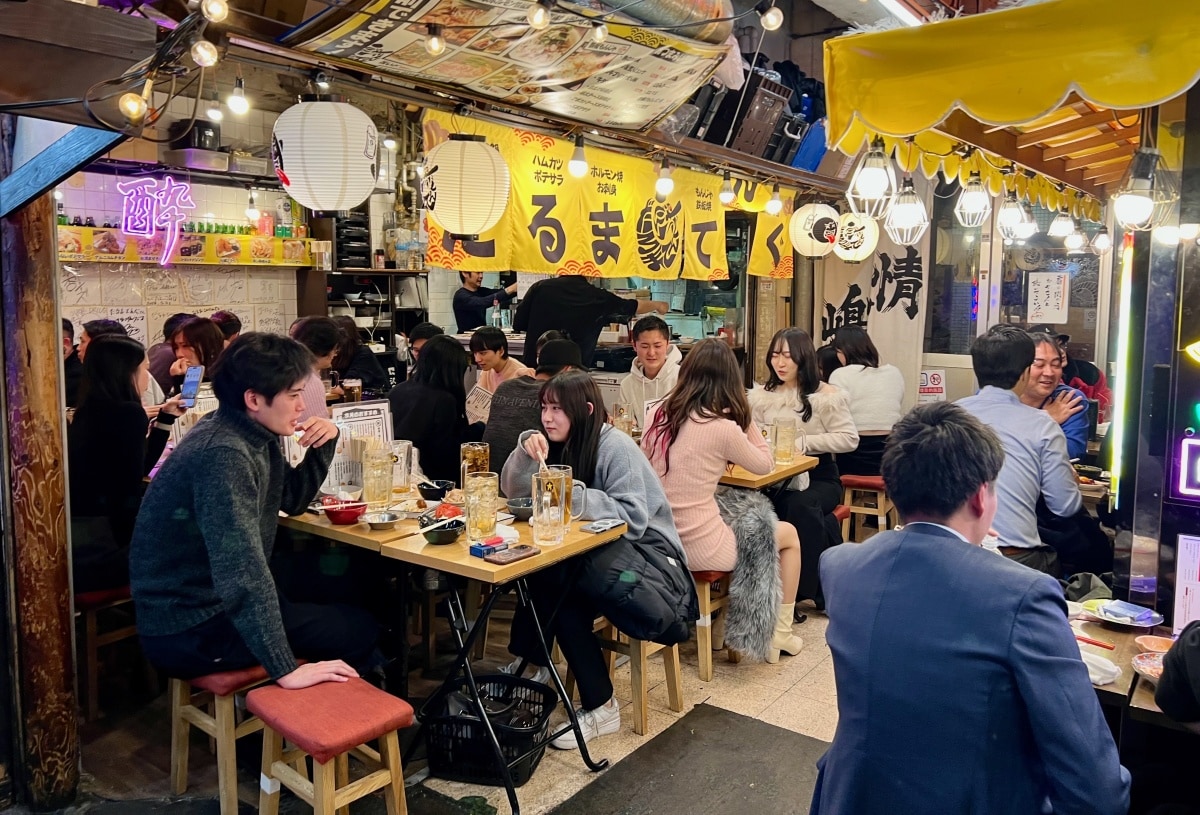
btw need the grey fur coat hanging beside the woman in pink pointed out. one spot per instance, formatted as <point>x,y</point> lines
<point>755,589</point>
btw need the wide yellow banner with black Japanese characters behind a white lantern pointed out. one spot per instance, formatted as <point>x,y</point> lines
<point>608,224</point>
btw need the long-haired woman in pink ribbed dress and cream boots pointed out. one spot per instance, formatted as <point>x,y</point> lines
<point>701,428</point>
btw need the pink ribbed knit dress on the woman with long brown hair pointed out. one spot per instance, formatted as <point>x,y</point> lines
<point>698,462</point>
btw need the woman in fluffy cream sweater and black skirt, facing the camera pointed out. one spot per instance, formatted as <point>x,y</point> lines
<point>794,391</point>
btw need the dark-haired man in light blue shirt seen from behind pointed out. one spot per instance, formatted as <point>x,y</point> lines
<point>1036,463</point>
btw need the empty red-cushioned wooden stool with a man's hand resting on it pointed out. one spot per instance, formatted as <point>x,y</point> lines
<point>329,722</point>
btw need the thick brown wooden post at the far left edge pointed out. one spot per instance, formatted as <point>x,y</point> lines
<point>34,517</point>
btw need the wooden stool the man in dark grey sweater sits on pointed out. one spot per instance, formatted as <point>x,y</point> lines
<point>221,726</point>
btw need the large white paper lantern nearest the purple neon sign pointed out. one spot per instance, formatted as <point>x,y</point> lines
<point>325,154</point>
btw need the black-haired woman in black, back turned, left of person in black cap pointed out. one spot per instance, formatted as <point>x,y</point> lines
<point>430,410</point>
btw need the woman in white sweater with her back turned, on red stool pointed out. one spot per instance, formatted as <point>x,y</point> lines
<point>875,394</point>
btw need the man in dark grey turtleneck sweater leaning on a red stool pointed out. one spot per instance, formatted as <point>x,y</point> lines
<point>200,558</point>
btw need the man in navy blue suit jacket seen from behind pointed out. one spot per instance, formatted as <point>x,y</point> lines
<point>961,687</point>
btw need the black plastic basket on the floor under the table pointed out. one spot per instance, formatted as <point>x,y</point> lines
<point>458,745</point>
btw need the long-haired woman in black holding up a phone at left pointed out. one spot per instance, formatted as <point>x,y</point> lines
<point>110,453</point>
